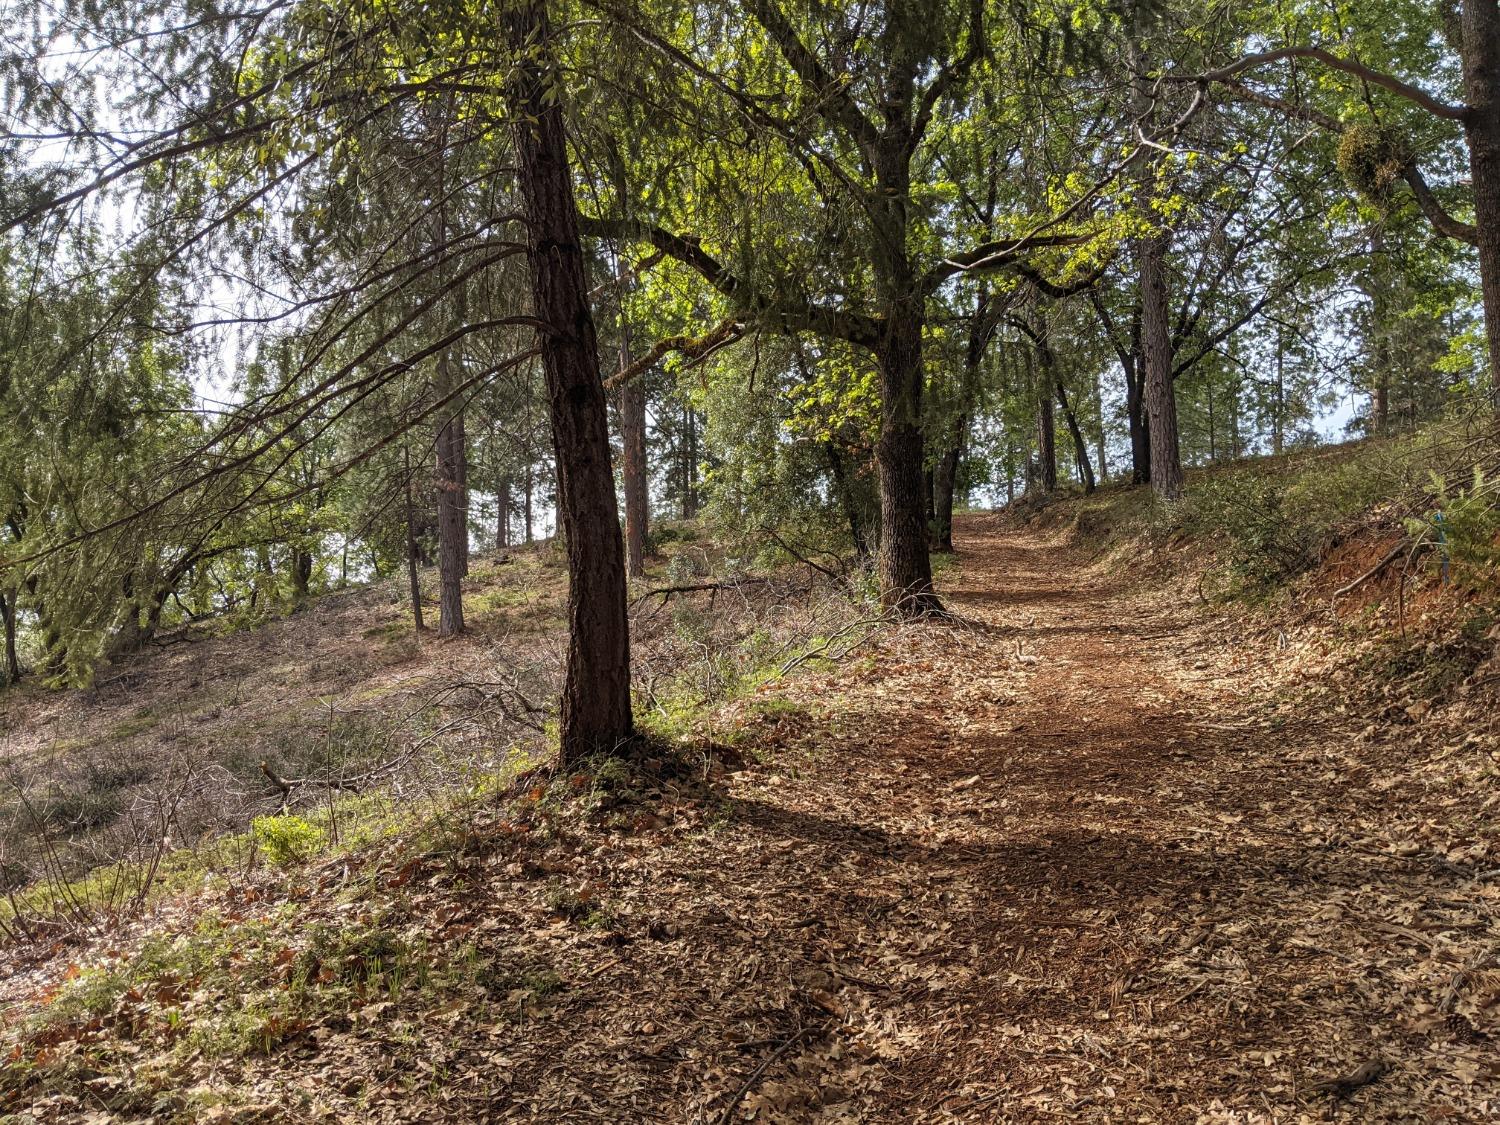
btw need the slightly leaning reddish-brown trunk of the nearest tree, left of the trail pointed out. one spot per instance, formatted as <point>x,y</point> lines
<point>596,695</point>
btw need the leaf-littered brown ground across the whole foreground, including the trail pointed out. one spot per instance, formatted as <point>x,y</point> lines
<point>1079,854</point>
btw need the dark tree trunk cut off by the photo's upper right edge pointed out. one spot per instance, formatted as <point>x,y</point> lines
<point>1481,56</point>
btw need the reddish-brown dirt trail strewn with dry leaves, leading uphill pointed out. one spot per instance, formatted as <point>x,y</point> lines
<point>1070,866</point>
